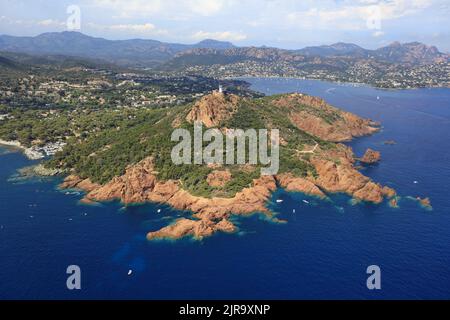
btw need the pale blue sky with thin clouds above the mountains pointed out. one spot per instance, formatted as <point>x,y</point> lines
<point>281,23</point>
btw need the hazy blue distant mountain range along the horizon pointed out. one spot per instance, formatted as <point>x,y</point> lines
<point>150,53</point>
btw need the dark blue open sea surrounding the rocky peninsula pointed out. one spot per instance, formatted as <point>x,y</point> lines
<point>322,252</point>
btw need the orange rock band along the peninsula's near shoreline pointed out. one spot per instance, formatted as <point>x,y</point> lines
<point>139,184</point>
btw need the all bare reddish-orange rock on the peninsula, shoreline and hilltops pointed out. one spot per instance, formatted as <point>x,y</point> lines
<point>333,164</point>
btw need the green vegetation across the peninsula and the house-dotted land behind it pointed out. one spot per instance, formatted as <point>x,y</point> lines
<point>106,128</point>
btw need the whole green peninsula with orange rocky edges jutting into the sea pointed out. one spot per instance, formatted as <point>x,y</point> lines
<point>214,193</point>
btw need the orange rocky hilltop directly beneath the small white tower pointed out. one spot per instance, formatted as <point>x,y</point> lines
<point>213,109</point>
